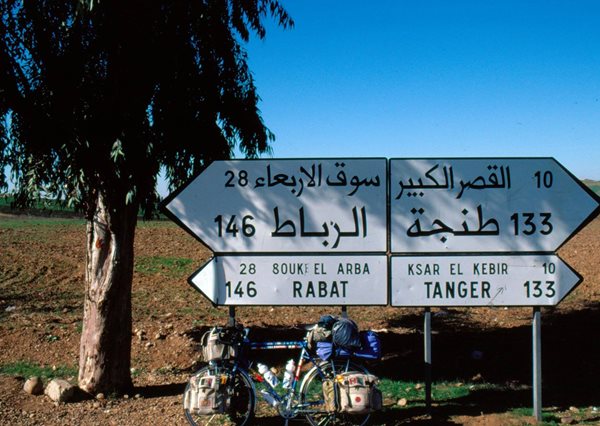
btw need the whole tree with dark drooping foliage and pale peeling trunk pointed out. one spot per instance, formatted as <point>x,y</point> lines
<point>96,97</point>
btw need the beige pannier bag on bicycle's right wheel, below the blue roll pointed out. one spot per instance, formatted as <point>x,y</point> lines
<point>358,393</point>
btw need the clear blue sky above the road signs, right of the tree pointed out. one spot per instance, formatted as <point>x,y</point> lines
<point>412,79</point>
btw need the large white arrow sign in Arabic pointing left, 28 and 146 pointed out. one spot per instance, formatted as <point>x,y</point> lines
<point>294,206</point>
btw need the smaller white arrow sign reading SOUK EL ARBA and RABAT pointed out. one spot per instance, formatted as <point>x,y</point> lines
<point>294,280</point>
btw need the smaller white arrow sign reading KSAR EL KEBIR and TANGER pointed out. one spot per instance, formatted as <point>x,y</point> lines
<point>502,280</point>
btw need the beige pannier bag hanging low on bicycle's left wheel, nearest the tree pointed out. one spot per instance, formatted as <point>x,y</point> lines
<point>207,395</point>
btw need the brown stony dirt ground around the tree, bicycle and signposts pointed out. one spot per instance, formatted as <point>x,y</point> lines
<point>41,305</point>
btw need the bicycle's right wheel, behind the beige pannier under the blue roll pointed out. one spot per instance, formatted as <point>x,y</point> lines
<point>312,397</point>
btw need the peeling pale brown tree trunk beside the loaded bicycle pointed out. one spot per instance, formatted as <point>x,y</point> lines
<point>105,350</point>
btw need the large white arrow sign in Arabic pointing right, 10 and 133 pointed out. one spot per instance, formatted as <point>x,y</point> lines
<point>485,205</point>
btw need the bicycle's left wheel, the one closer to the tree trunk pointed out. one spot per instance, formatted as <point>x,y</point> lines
<point>239,392</point>
